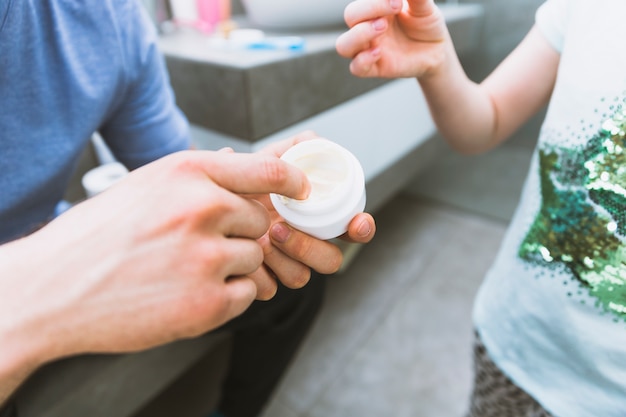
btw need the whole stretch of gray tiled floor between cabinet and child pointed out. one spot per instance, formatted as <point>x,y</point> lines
<point>396,325</point>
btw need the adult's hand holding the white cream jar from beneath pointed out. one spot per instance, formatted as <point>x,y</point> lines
<point>289,254</point>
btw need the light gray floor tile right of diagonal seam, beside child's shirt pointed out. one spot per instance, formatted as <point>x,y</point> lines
<point>418,360</point>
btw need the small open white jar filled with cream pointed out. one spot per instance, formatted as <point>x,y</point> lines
<point>337,189</point>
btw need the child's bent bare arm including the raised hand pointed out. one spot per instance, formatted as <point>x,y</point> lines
<point>412,40</point>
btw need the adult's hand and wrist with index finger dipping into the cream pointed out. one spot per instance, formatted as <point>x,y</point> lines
<point>161,255</point>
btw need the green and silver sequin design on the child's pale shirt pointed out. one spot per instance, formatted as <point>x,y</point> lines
<point>582,219</point>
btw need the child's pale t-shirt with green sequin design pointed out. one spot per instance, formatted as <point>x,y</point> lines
<point>552,310</point>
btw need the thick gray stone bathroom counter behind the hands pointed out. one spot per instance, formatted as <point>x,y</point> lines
<point>250,94</point>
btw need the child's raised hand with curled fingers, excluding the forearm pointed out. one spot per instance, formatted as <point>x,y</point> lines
<point>393,39</point>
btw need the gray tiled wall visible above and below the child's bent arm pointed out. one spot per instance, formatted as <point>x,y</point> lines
<point>488,184</point>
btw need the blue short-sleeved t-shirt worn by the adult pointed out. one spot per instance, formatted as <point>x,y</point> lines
<point>69,68</point>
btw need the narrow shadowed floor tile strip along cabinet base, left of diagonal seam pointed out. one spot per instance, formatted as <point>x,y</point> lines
<point>409,235</point>
